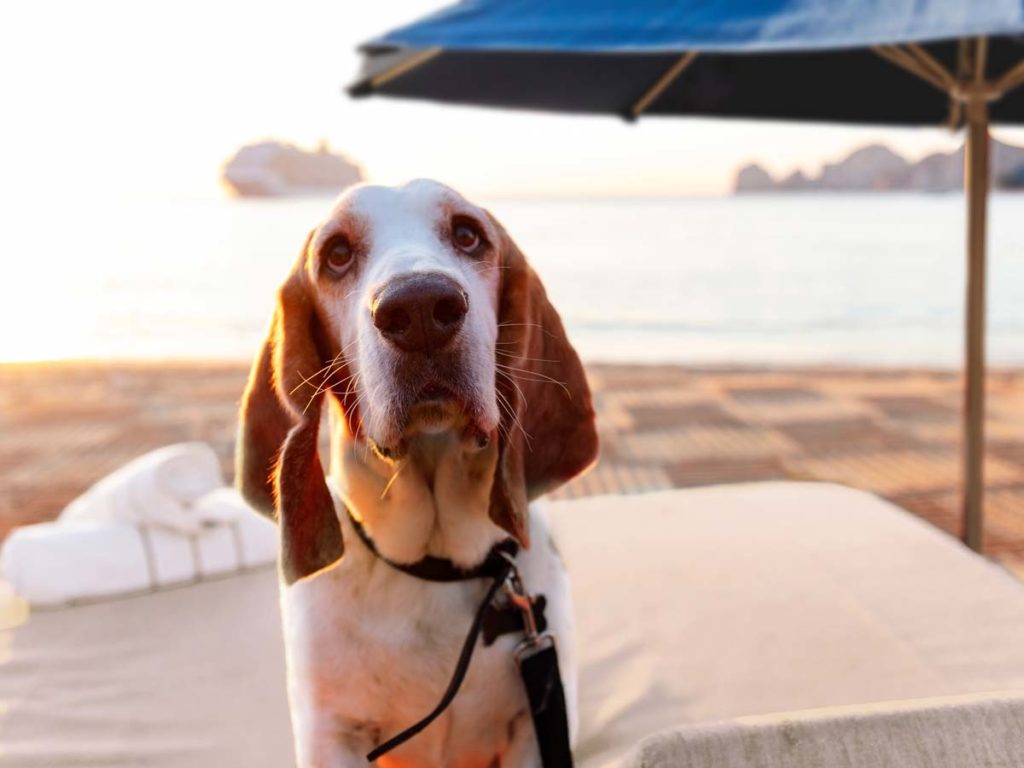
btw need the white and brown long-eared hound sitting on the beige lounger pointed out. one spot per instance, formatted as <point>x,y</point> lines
<point>454,400</point>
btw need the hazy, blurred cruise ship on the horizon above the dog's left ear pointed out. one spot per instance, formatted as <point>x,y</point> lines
<point>276,169</point>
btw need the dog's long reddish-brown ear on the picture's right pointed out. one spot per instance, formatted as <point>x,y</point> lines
<point>548,434</point>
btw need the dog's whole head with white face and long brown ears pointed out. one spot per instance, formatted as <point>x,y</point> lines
<point>415,313</point>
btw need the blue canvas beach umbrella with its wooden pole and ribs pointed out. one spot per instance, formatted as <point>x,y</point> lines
<point>871,62</point>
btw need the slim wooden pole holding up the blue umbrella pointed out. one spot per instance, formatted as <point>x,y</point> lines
<point>976,176</point>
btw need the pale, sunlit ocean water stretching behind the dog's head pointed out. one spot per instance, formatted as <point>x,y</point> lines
<point>826,279</point>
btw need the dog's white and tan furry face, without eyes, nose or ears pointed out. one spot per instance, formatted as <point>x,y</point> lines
<point>399,233</point>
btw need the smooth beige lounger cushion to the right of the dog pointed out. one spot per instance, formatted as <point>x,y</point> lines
<point>701,606</point>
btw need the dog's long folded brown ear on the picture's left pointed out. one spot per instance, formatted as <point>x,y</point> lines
<point>278,465</point>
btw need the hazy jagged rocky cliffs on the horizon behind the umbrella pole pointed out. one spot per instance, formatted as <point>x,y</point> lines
<point>876,167</point>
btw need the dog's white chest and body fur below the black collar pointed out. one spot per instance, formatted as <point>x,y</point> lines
<point>371,651</point>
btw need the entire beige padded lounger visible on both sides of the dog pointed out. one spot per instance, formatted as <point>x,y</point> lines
<point>702,616</point>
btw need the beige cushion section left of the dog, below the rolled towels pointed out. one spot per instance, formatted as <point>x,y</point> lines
<point>192,677</point>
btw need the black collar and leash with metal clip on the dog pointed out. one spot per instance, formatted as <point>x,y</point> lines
<point>536,656</point>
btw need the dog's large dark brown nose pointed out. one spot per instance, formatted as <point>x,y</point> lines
<point>420,313</point>
